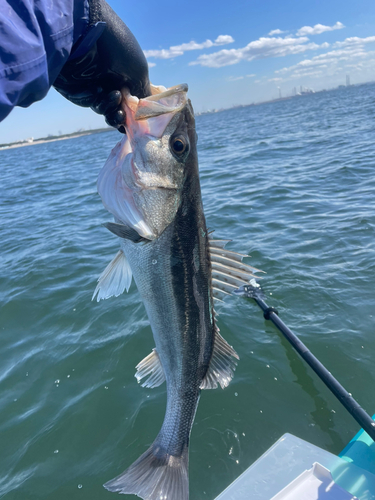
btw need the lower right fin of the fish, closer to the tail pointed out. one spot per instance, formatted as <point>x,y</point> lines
<point>222,364</point>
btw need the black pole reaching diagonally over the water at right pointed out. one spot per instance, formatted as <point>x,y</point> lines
<point>254,291</point>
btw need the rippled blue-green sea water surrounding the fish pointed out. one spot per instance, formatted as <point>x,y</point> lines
<point>292,184</point>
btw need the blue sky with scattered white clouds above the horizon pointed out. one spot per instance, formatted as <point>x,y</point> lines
<point>229,53</point>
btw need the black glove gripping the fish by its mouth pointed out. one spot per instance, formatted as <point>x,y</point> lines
<point>116,60</point>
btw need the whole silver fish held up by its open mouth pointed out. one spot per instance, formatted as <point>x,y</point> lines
<point>150,184</point>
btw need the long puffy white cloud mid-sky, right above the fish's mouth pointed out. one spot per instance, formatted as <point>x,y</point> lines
<point>258,49</point>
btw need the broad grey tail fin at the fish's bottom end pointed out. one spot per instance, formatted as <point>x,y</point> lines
<point>152,477</point>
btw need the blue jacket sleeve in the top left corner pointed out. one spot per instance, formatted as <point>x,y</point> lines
<point>36,39</point>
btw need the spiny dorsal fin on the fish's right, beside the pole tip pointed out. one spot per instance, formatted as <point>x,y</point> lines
<point>228,270</point>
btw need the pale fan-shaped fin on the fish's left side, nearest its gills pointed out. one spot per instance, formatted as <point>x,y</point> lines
<point>114,279</point>
